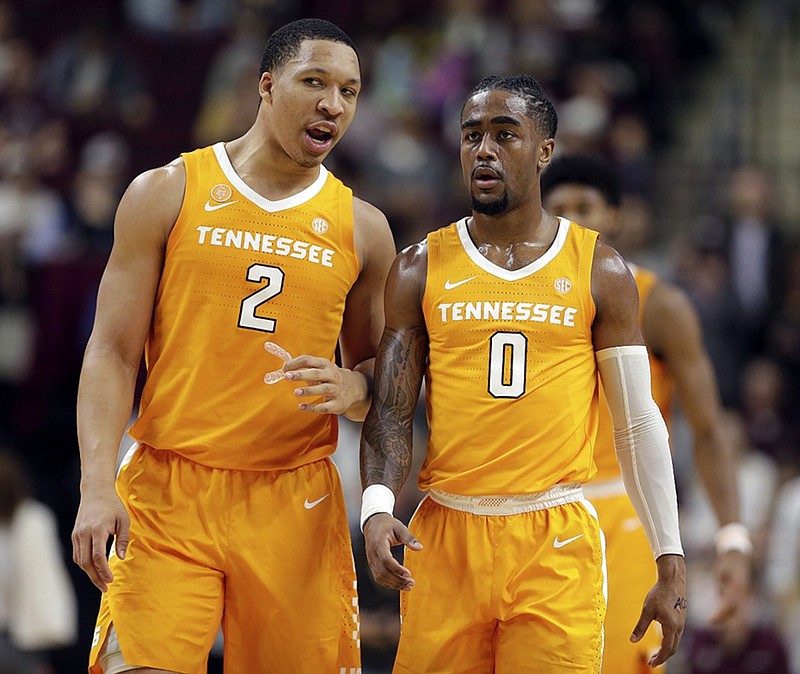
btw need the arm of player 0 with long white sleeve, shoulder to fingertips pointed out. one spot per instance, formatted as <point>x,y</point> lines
<point>641,442</point>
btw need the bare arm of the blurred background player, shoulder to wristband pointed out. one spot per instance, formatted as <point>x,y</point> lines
<point>672,331</point>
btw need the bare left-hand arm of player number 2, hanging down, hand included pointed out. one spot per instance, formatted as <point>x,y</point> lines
<point>145,215</point>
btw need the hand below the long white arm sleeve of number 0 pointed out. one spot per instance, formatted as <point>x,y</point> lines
<point>666,604</point>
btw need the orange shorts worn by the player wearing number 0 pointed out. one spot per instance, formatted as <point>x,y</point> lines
<point>504,594</point>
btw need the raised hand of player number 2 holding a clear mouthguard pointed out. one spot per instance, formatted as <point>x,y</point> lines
<point>339,388</point>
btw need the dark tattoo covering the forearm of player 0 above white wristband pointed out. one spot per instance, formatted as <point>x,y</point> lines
<point>386,441</point>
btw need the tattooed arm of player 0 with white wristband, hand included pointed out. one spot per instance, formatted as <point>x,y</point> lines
<point>386,439</point>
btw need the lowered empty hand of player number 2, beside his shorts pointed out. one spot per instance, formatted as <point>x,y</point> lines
<point>99,516</point>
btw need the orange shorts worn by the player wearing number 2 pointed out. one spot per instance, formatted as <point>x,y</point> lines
<point>266,555</point>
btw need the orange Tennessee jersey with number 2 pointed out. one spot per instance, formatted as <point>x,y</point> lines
<point>241,270</point>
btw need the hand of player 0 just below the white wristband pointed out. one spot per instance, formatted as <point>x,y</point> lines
<point>381,532</point>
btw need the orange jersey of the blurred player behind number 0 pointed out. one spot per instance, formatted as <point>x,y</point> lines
<point>604,457</point>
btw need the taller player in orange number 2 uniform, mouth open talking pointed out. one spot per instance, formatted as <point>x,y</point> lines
<point>228,509</point>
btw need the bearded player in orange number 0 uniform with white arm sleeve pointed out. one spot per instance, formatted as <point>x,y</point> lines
<point>509,314</point>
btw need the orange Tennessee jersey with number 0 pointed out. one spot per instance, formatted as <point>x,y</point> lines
<point>511,383</point>
